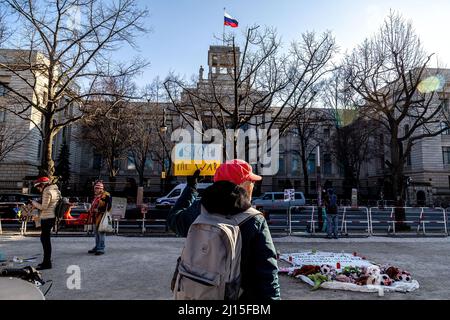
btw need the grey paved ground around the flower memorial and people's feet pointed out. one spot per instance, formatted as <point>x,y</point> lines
<point>141,268</point>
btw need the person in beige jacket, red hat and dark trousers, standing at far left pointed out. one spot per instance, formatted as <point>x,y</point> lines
<point>50,197</point>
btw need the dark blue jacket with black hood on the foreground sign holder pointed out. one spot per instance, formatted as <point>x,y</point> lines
<point>259,269</point>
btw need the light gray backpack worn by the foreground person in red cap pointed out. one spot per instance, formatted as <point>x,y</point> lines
<point>209,266</point>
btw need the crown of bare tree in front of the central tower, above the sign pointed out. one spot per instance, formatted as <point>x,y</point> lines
<point>250,79</point>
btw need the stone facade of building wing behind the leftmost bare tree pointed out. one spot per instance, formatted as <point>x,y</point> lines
<point>21,165</point>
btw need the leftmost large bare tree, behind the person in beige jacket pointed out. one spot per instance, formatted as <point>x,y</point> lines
<point>67,52</point>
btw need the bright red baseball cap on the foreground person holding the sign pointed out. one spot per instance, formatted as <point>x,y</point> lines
<point>236,171</point>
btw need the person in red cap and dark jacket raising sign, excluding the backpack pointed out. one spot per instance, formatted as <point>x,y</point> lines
<point>231,194</point>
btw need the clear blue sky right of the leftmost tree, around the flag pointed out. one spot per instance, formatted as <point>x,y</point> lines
<point>182,30</point>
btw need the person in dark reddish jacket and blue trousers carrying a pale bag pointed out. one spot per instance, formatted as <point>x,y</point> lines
<point>101,204</point>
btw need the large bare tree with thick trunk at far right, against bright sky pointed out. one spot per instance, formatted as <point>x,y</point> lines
<point>389,73</point>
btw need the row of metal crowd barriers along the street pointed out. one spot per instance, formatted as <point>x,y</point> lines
<point>303,220</point>
